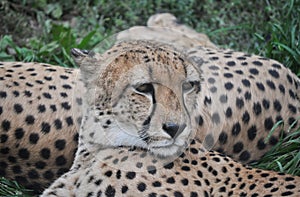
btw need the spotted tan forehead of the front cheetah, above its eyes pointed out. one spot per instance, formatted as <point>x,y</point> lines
<point>143,60</point>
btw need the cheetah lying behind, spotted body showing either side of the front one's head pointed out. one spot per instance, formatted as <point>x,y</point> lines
<point>26,157</point>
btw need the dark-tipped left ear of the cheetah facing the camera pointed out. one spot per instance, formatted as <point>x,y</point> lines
<point>89,63</point>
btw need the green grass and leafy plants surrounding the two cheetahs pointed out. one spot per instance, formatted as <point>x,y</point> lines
<point>46,30</point>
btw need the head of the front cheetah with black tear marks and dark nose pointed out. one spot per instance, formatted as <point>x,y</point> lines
<point>143,97</point>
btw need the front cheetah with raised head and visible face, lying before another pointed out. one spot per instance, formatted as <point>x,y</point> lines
<point>107,161</point>
